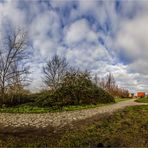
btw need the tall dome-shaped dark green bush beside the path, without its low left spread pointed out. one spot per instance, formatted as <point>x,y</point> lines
<point>77,88</point>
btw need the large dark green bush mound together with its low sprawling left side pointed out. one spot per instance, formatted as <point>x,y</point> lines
<point>76,88</point>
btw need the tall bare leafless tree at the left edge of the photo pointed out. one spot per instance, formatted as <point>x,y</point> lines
<point>12,56</point>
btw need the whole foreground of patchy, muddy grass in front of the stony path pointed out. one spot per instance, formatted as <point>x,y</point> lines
<point>126,128</point>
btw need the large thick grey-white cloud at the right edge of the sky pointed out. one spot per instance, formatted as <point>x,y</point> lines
<point>132,41</point>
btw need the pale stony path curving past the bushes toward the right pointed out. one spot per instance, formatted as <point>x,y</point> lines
<point>59,119</point>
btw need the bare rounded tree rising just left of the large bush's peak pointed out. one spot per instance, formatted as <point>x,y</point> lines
<point>54,71</point>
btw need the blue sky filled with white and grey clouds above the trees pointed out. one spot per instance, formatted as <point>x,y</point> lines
<point>101,36</point>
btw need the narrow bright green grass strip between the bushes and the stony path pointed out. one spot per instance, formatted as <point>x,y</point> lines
<point>29,108</point>
